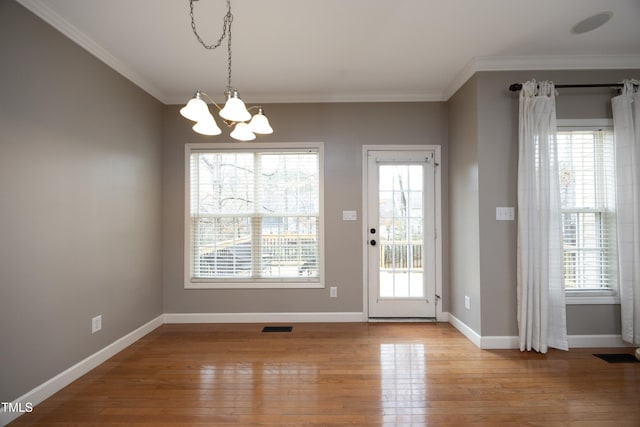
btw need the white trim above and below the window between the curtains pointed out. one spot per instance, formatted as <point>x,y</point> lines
<point>589,296</point>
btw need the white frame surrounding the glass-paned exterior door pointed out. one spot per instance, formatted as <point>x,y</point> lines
<point>440,316</point>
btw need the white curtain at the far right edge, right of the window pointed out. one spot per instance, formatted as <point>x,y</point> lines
<point>626,125</point>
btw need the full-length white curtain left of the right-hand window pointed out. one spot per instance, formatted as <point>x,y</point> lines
<point>541,299</point>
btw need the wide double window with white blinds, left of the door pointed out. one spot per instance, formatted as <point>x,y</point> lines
<point>253,216</point>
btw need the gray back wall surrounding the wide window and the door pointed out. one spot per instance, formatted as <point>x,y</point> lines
<point>344,128</point>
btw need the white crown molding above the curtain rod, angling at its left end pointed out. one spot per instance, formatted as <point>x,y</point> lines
<point>540,62</point>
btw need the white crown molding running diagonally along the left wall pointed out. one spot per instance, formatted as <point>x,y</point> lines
<point>40,9</point>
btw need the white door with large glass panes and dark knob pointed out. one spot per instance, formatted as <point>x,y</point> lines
<point>401,236</point>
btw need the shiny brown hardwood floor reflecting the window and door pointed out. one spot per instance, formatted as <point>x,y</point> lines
<point>362,374</point>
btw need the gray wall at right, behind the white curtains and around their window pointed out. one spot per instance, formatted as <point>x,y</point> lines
<point>495,140</point>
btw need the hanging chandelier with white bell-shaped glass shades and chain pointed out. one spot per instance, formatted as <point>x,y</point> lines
<point>235,113</point>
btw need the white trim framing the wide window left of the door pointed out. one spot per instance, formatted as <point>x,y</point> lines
<point>239,283</point>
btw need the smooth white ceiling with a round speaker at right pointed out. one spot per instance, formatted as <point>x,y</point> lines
<point>342,50</point>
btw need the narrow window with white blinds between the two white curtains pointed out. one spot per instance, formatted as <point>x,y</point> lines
<point>587,192</point>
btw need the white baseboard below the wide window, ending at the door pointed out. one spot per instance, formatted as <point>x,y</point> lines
<point>264,317</point>
